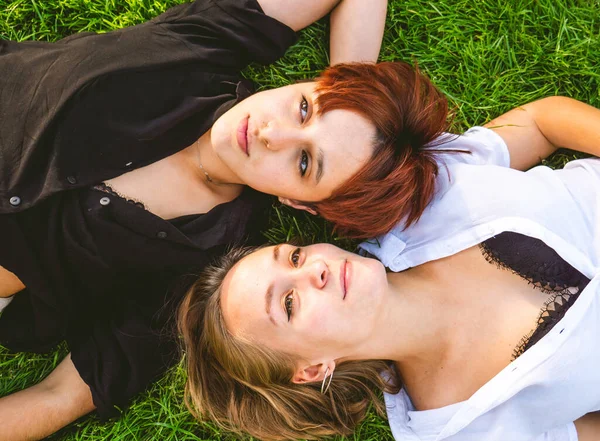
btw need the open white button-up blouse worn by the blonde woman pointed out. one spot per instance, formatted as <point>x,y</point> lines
<point>557,380</point>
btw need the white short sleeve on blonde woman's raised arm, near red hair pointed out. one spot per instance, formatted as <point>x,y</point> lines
<point>484,146</point>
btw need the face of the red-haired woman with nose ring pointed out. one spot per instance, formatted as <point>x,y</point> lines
<point>275,142</point>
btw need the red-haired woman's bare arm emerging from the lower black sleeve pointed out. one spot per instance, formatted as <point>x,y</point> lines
<point>41,410</point>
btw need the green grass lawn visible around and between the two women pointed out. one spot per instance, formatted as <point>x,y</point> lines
<point>487,56</point>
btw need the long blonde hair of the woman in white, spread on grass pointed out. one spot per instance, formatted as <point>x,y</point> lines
<point>247,388</point>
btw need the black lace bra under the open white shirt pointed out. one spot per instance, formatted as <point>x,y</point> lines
<point>542,267</point>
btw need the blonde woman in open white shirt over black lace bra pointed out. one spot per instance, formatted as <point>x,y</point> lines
<point>492,328</point>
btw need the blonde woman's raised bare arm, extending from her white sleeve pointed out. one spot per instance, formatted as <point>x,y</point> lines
<point>533,131</point>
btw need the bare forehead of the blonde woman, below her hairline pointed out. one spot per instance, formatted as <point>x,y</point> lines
<point>243,289</point>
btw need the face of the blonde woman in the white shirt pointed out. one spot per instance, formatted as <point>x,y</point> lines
<point>314,302</point>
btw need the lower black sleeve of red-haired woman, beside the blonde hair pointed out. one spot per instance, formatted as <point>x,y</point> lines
<point>121,354</point>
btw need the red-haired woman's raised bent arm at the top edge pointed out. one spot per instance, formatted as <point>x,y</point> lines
<point>353,38</point>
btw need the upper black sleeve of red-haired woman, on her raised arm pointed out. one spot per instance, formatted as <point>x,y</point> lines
<point>236,31</point>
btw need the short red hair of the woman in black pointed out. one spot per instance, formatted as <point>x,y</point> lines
<point>409,113</point>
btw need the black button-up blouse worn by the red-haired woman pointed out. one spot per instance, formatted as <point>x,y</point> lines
<point>102,272</point>
